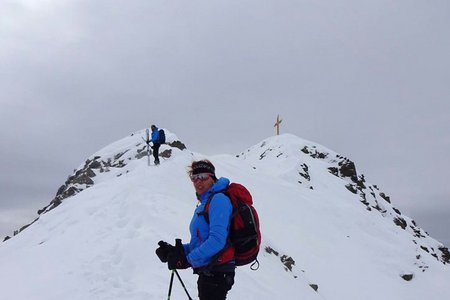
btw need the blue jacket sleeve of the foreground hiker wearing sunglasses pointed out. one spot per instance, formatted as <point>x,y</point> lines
<point>220,211</point>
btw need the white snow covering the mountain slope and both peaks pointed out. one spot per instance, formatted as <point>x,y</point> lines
<point>100,243</point>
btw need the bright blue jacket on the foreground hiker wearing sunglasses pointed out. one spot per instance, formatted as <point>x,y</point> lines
<point>208,239</point>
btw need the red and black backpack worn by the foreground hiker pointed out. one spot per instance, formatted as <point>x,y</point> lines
<point>244,236</point>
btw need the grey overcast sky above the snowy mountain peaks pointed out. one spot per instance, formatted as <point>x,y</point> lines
<point>368,79</point>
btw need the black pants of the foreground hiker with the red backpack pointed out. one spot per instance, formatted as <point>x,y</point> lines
<point>214,285</point>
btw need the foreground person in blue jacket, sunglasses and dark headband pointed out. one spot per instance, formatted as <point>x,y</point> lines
<point>207,252</point>
